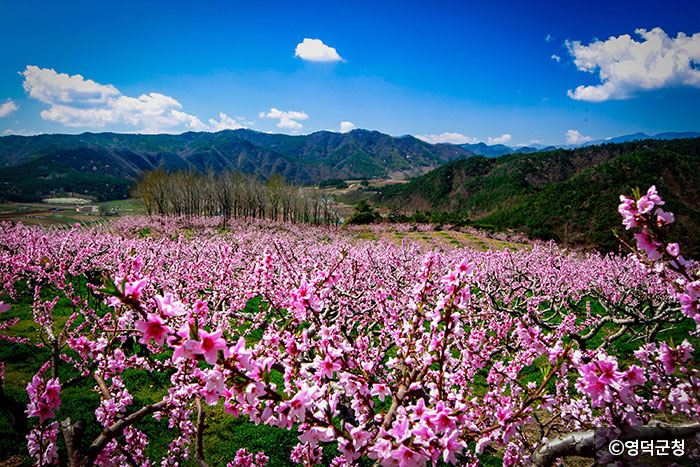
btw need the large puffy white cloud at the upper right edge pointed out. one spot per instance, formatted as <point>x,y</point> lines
<point>626,66</point>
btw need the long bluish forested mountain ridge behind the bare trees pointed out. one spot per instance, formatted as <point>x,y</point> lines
<point>57,160</point>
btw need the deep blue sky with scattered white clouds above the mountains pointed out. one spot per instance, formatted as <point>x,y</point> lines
<point>445,71</point>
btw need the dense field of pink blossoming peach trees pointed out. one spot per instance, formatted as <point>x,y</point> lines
<point>369,351</point>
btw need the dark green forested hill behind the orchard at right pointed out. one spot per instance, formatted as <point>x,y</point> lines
<point>567,195</point>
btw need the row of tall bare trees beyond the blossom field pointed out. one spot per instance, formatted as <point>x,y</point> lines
<point>233,195</point>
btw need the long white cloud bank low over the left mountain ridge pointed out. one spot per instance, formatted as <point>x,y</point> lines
<point>78,102</point>
